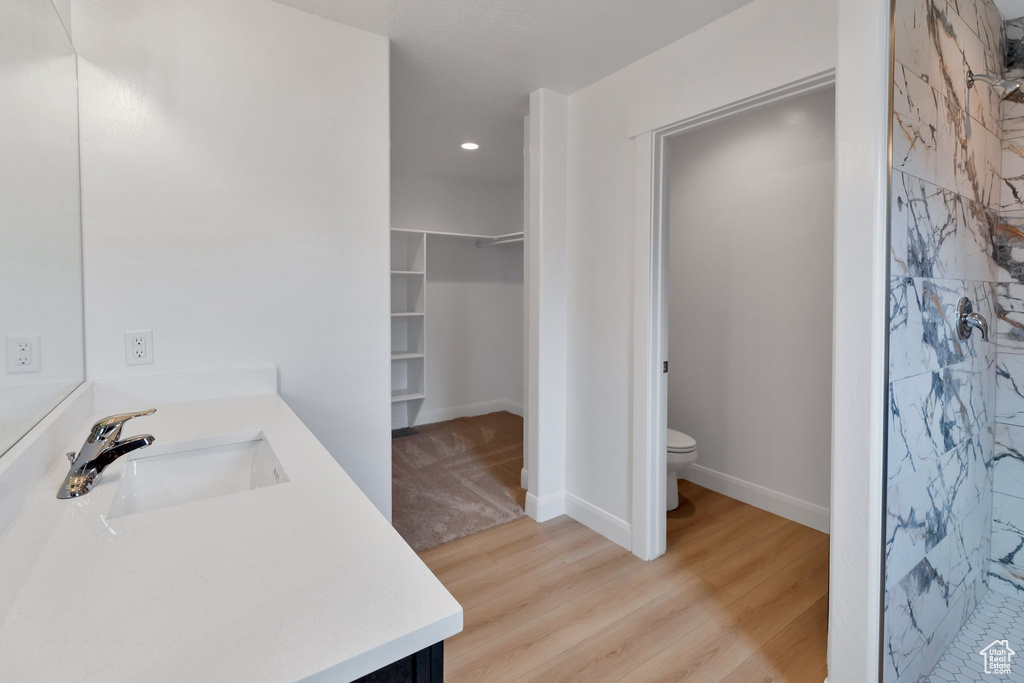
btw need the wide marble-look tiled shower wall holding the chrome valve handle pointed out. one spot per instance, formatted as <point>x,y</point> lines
<point>947,194</point>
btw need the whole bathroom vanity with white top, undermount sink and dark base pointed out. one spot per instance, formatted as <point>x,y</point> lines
<point>233,548</point>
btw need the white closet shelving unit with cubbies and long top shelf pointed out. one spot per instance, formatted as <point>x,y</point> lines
<point>409,313</point>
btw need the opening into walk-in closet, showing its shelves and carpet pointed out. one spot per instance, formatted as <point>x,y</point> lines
<point>457,357</point>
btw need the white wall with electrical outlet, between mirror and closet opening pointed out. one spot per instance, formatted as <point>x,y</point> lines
<point>236,185</point>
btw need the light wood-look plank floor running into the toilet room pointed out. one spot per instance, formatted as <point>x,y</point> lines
<point>740,596</point>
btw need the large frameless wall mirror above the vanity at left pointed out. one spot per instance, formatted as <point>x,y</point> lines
<point>40,218</point>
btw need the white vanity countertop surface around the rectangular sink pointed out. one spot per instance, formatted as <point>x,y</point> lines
<point>274,584</point>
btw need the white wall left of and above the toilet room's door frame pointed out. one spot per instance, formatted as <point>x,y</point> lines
<point>602,188</point>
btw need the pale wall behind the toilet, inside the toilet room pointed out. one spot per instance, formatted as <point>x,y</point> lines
<point>751,300</point>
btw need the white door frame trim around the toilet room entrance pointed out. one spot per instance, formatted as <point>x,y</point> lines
<point>651,306</point>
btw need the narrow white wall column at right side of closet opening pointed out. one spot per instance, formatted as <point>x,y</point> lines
<point>548,157</point>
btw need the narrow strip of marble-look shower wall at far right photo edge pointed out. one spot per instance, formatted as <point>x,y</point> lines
<point>1007,569</point>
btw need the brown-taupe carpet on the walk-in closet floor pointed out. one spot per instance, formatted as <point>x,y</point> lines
<point>455,479</point>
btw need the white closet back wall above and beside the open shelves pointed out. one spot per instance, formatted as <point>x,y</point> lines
<point>475,297</point>
